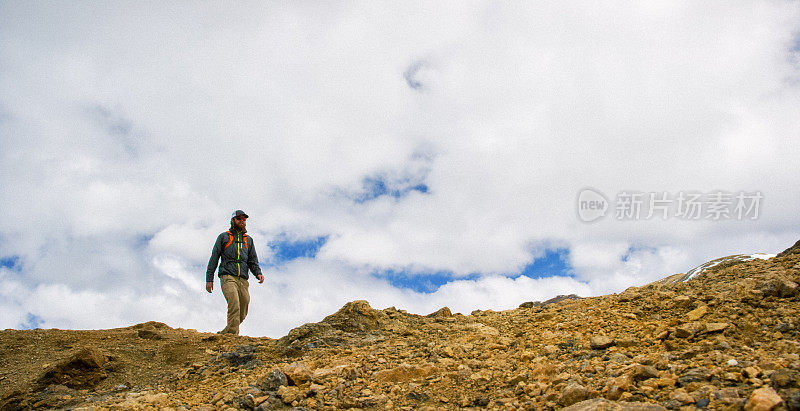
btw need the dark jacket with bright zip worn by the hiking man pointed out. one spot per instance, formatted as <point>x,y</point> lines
<point>237,258</point>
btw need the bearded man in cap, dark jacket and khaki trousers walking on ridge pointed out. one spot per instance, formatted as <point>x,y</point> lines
<point>238,255</point>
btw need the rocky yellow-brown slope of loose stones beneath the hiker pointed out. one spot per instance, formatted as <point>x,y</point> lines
<point>728,340</point>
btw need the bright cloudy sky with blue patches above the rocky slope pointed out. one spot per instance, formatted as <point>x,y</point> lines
<point>415,155</point>
